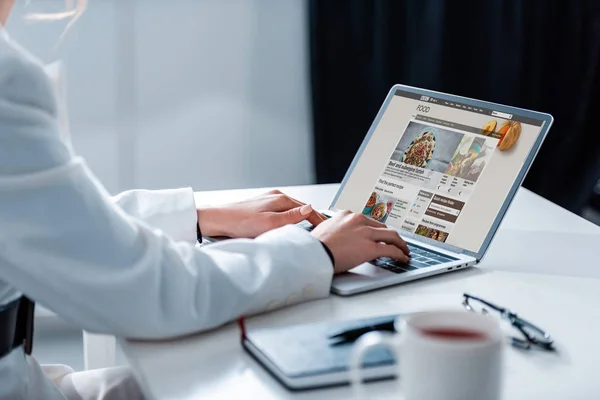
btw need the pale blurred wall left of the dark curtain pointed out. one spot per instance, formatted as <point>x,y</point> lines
<point>204,93</point>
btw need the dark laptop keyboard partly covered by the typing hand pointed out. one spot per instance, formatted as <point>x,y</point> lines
<point>419,257</point>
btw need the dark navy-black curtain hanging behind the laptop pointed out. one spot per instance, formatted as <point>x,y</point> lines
<point>538,54</point>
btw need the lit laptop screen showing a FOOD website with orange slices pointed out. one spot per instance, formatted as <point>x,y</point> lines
<point>439,169</point>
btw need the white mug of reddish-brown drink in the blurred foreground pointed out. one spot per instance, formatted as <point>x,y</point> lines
<point>441,355</point>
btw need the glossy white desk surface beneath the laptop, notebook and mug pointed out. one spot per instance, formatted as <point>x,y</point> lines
<point>563,300</point>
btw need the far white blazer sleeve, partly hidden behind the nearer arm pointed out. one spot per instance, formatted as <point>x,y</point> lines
<point>173,211</point>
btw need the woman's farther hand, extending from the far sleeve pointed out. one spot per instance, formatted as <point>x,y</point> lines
<point>253,217</point>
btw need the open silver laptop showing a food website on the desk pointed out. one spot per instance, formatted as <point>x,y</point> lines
<point>441,170</point>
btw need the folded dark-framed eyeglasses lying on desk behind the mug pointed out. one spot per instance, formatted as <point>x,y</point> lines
<point>532,335</point>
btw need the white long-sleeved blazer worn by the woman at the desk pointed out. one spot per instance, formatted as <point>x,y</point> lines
<point>128,265</point>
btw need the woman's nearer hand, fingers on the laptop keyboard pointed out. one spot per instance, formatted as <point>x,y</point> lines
<point>354,239</point>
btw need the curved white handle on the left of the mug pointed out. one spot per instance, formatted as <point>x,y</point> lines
<point>363,345</point>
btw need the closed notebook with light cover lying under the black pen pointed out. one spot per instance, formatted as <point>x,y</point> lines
<point>302,357</point>
